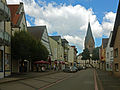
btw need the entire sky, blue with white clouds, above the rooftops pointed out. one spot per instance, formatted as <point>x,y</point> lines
<point>69,18</point>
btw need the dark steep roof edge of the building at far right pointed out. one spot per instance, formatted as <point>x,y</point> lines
<point>116,24</point>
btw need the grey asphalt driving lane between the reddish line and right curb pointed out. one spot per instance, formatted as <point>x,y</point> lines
<point>82,80</point>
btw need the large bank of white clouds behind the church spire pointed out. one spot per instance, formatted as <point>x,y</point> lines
<point>69,21</point>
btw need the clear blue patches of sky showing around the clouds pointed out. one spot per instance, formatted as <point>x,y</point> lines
<point>100,7</point>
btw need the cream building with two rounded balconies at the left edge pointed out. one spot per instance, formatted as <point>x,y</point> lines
<point>5,40</point>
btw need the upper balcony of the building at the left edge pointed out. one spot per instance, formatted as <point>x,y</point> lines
<point>4,12</point>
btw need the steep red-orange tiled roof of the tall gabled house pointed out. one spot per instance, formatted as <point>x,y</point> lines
<point>14,16</point>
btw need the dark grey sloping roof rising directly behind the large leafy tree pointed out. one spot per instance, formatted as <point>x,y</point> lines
<point>36,31</point>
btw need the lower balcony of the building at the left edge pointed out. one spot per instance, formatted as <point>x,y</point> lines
<point>4,38</point>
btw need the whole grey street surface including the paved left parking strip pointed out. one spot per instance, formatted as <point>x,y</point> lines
<point>82,80</point>
